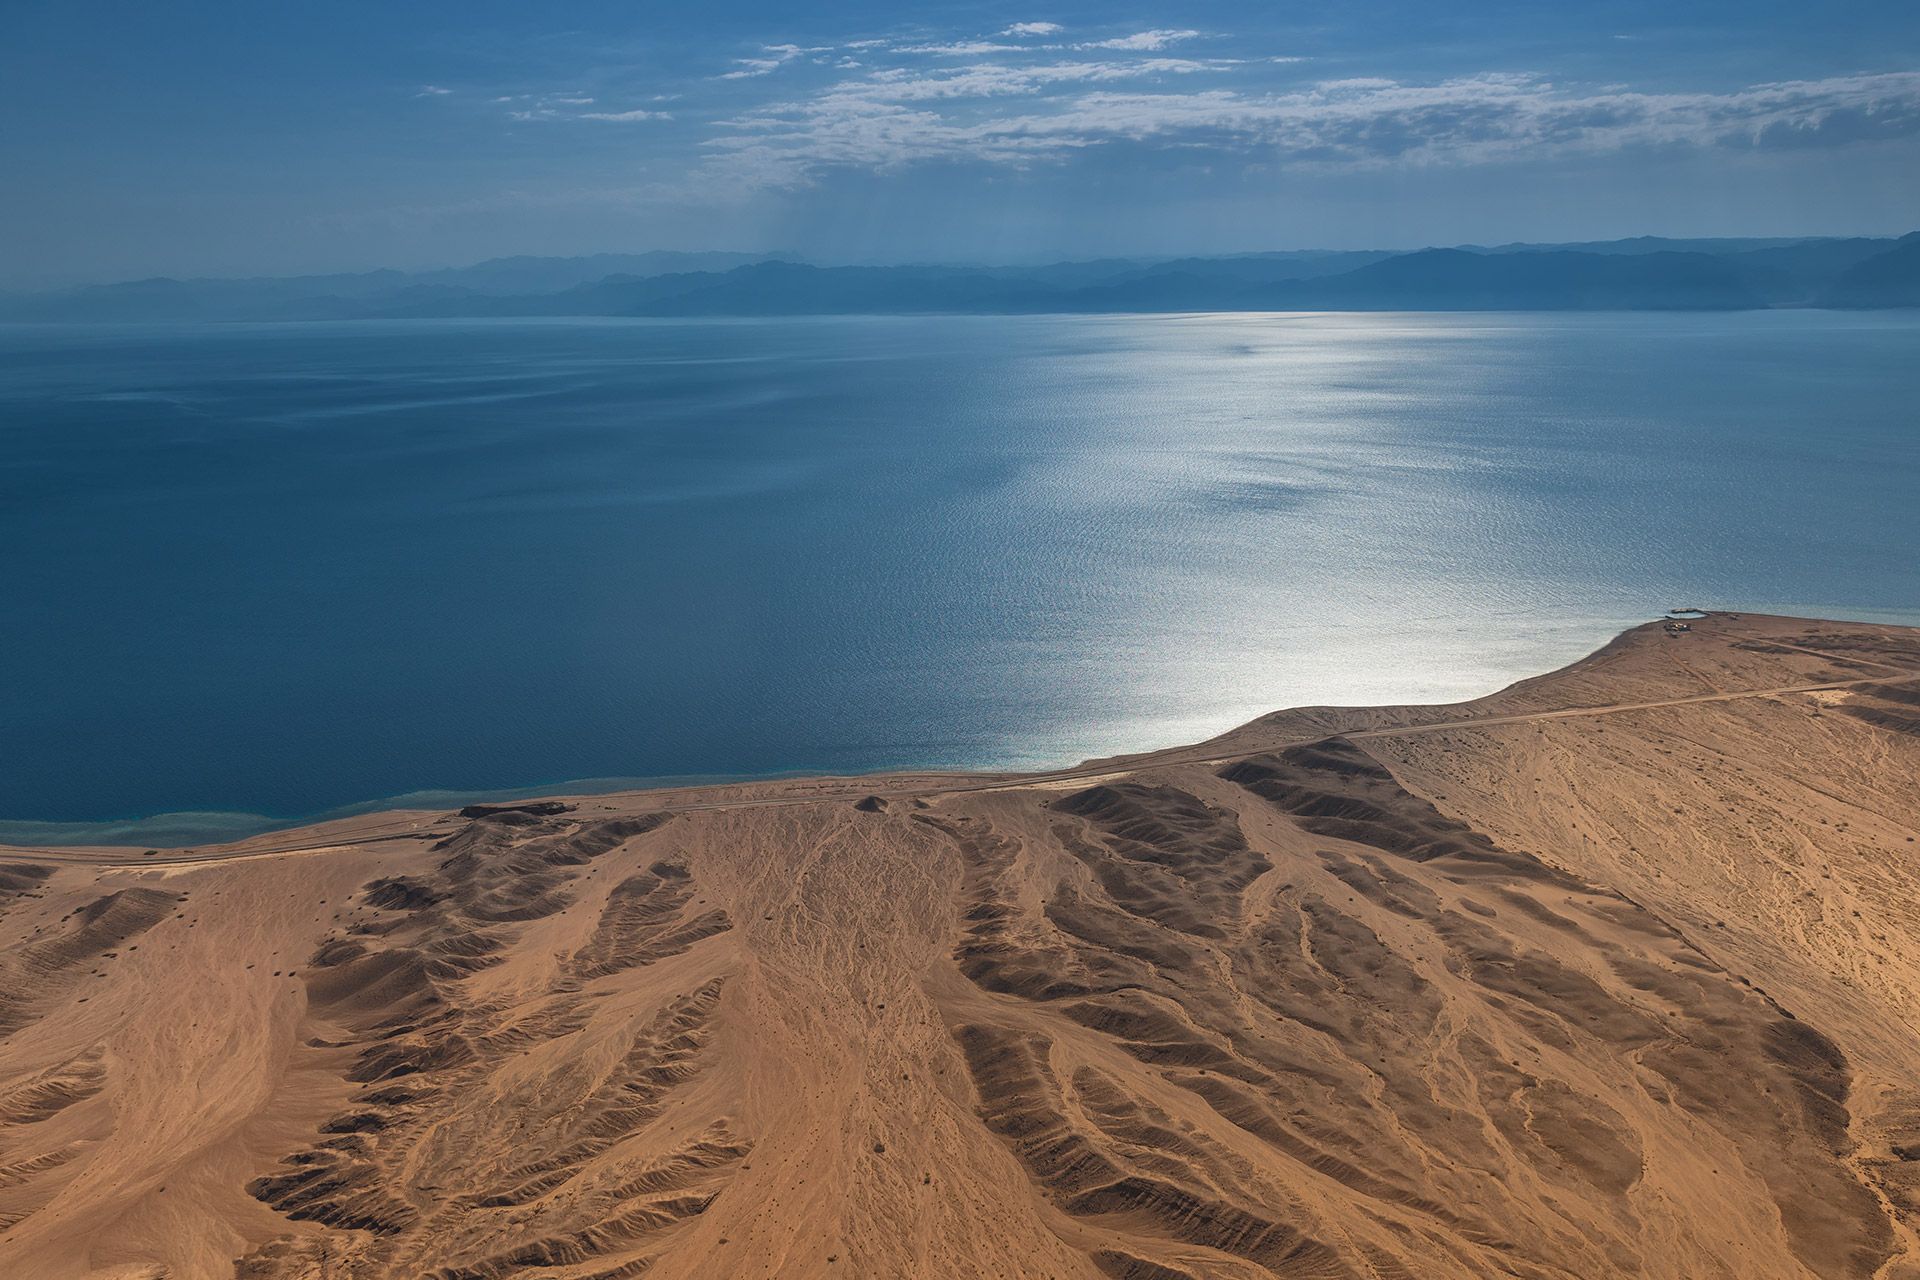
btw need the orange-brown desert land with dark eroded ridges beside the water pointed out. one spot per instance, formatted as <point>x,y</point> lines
<point>1612,974</point>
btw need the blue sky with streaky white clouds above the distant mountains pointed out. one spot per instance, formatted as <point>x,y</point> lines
<point>279,139</point>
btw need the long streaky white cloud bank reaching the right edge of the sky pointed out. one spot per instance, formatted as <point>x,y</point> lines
<point>1020,116</point>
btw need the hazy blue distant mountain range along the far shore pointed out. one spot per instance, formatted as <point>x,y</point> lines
<point>1644,273</point>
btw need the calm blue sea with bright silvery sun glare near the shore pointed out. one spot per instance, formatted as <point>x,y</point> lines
<point>283,569</point>
